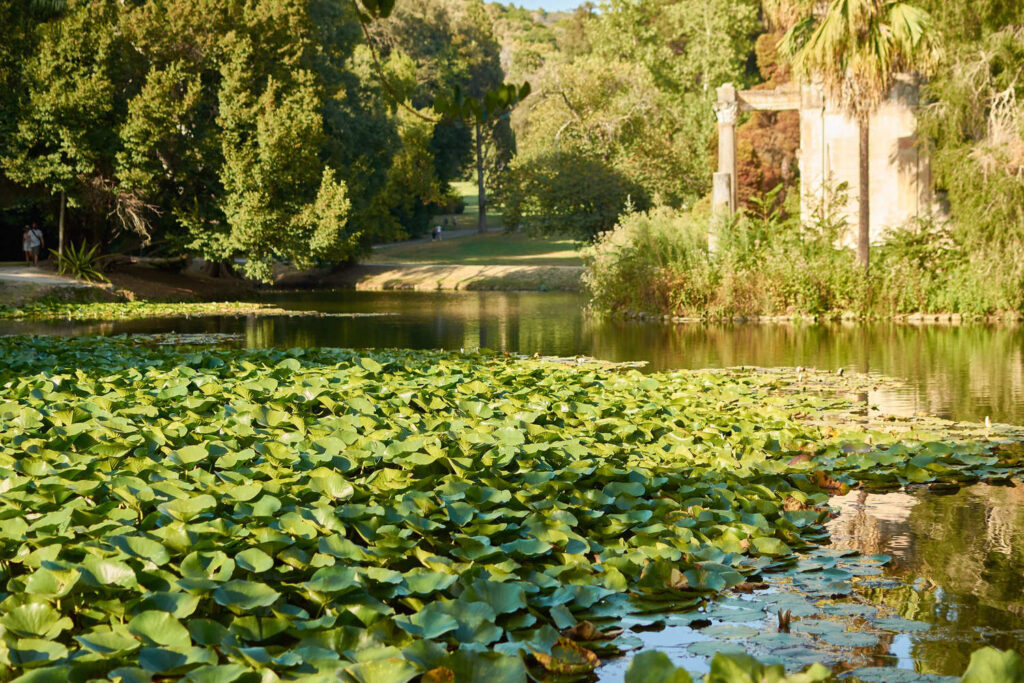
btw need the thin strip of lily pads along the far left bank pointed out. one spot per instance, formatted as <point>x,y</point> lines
<point>137,310</point>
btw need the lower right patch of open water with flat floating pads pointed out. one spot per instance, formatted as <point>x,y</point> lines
<point>949,582</point>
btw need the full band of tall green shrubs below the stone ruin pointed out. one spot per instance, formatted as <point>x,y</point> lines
<point>771,265</point>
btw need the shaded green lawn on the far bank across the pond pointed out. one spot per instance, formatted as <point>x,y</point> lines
<point>497,248</point>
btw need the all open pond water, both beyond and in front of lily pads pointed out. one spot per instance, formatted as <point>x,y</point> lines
<point>935,576</point>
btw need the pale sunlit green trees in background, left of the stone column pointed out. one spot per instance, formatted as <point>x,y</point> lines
<point>631,89</point>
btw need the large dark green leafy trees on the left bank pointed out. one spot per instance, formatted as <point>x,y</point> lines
<point>226,129</point>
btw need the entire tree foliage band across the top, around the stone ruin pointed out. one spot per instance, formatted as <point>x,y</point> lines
<point>305,132</point>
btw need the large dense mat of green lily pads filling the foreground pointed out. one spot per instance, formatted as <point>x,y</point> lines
<point>227,516</point>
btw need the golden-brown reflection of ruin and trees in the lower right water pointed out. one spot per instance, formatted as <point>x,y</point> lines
<point>958,560</point>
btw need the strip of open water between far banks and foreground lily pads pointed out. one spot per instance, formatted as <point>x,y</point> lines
<point>966,373</point>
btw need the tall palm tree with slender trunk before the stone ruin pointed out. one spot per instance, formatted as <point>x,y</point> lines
<point>856,50</point>
